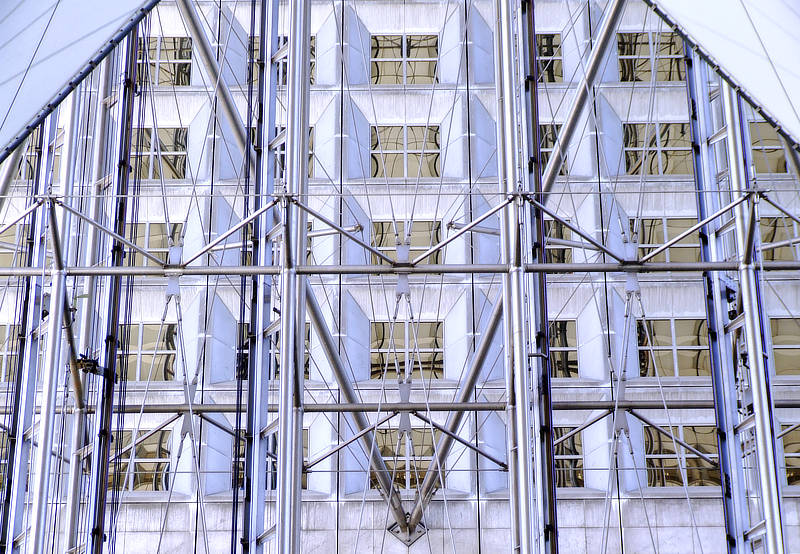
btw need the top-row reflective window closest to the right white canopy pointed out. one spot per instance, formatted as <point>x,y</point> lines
<point>640,54</point>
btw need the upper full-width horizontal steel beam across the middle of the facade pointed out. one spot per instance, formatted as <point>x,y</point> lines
<point>553,268</point>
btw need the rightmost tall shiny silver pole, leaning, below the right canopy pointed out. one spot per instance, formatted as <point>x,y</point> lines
<point>759,380</point>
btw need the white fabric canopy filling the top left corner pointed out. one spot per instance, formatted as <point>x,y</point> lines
<point>44,44</point>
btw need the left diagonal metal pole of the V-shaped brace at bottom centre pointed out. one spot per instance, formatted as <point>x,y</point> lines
<point>360,422</point>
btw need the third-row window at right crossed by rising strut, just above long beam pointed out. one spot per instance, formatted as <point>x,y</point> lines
<point>652,232</point>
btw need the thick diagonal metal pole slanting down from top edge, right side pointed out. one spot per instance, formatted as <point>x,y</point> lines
<point>604,37</point>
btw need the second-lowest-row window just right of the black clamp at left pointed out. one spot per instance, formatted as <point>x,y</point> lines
<point>147,351</point>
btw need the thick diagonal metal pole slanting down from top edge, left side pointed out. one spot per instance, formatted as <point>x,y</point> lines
<point>206,52</point>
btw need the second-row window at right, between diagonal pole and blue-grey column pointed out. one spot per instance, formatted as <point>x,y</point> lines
<point>657,148</point>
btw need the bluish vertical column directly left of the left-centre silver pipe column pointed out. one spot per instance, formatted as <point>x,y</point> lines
<point>258,378</point>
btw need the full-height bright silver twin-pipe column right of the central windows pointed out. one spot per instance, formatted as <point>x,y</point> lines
<point>518,412</point>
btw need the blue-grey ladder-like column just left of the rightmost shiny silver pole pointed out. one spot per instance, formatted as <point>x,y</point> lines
<point>734,501</point>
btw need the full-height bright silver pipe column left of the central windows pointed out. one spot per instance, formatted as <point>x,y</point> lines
<point>290,403</point>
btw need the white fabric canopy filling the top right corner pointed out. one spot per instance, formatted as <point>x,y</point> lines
<point>756,43</point>
